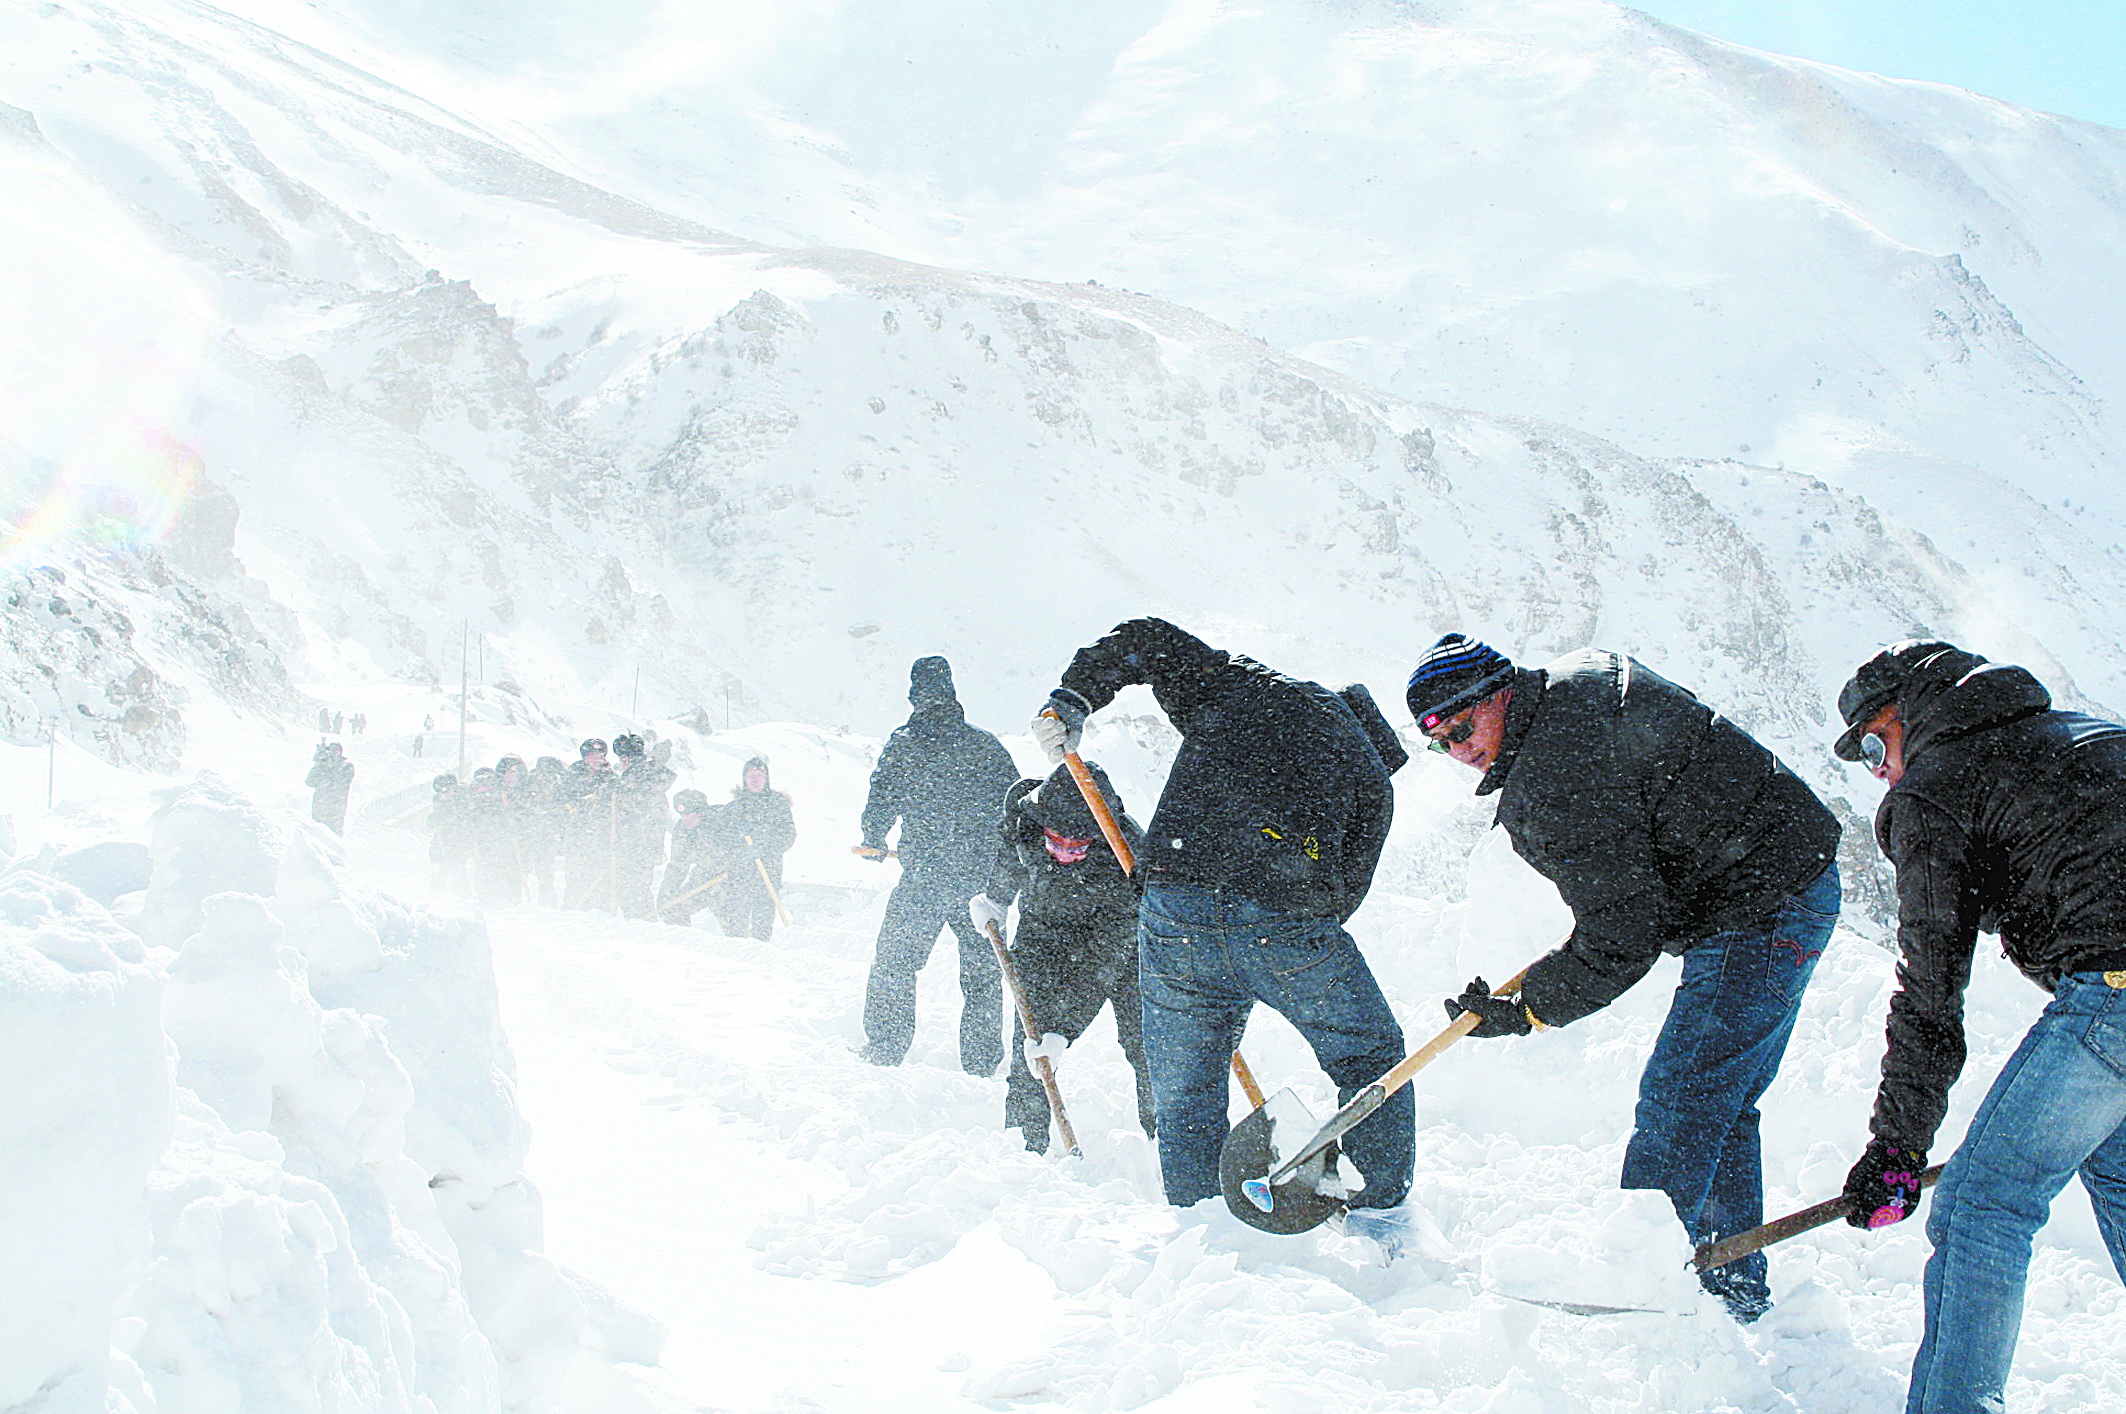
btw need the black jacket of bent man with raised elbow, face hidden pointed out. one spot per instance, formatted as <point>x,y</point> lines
<point>1277,792</point>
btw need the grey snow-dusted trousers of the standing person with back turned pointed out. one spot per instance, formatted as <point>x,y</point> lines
<point>922,907</point>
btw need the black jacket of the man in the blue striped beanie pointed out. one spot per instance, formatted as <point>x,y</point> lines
<point>1657,820</point>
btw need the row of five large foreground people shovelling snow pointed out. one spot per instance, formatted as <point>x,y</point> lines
<point>1664,826</point>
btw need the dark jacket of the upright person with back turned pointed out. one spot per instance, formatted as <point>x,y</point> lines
<point>945,784</point>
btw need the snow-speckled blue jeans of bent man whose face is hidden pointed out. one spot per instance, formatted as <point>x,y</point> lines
<point>1207,958</point>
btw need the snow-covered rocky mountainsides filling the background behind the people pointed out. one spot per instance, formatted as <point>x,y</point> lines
<point>441,377</point>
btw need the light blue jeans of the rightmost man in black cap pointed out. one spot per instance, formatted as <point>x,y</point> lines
<point>2057,1107</point>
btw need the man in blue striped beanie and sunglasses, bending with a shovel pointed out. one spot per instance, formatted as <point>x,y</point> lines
<point>1666,830</point>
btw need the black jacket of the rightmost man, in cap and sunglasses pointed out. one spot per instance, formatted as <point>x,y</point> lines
<point>2010,818</point>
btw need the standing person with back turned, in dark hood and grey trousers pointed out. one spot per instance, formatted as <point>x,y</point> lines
<point>945,781</point>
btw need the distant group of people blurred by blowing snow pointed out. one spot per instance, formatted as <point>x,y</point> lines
<point>596,832</point>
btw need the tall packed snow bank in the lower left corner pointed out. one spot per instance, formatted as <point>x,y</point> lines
<point>267,1151</point>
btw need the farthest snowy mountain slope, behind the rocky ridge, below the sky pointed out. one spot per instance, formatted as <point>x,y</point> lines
<point>1553,207</point>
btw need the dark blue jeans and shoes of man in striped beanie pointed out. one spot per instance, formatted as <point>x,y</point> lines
<point>1695,1134</point>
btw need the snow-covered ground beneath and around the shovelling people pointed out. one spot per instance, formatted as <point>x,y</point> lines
<point>747,1217</point>
